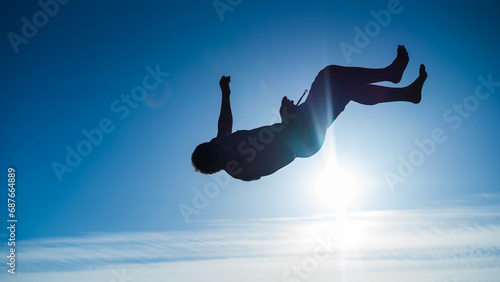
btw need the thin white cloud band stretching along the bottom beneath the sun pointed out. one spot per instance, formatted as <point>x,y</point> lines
<point>439,243</point>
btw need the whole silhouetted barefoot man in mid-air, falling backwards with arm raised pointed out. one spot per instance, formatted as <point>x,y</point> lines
<point>250,154</point>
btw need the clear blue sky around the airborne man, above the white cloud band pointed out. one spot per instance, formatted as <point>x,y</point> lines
<point>70,76</point>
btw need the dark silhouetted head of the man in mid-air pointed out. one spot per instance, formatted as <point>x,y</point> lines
<point>205,158</point>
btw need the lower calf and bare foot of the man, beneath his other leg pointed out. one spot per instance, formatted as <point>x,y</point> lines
<point>374,94</point>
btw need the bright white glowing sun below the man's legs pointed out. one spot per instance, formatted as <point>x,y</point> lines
<point>336,187</point>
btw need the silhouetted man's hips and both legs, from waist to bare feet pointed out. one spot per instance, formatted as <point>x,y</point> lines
<point>335,86</point>
